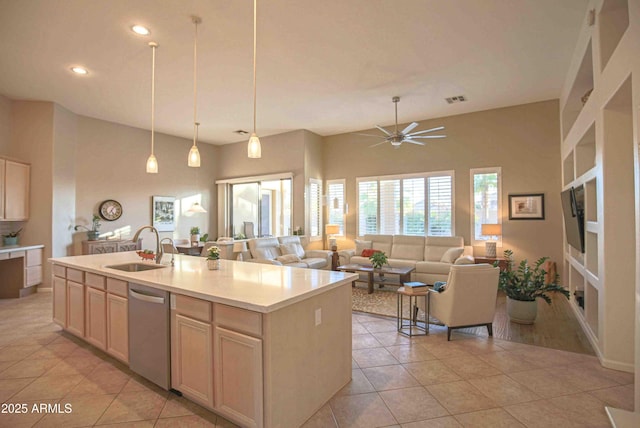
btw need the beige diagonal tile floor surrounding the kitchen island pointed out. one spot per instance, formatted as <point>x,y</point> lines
<point>396,381</point>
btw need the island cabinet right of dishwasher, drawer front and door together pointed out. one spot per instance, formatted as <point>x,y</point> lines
<point>192,349</point>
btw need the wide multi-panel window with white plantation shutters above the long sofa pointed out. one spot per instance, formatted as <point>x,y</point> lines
<point>412,204</point>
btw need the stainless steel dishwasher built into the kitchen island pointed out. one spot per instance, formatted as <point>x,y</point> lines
<point>149,334</point>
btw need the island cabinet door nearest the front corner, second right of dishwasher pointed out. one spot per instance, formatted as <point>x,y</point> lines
<point>238,377</point>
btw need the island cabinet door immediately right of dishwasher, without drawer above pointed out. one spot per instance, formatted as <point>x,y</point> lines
<point>192,365</point>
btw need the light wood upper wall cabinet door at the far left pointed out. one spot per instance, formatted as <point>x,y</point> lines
<point>16,191</point>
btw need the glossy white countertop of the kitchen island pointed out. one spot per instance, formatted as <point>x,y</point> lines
<point>254,286</point>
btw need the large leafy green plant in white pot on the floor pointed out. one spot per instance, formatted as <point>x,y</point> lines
<point>524,285</point>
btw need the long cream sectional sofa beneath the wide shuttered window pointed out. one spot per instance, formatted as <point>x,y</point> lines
<point>432,256</point>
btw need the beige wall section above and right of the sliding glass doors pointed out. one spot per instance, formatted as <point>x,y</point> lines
<point>280,153</point>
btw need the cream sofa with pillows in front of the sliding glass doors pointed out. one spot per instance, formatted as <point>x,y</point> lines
<point>287,251</point>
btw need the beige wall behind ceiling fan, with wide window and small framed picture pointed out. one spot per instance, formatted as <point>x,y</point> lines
<point>524,140</point>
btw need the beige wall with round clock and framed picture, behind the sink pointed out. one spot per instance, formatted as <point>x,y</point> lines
<point>110,164</point>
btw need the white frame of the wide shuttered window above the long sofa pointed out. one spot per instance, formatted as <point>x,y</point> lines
<point>401,177</point>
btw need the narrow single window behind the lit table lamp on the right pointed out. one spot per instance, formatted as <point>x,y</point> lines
<point>486,201</point>
